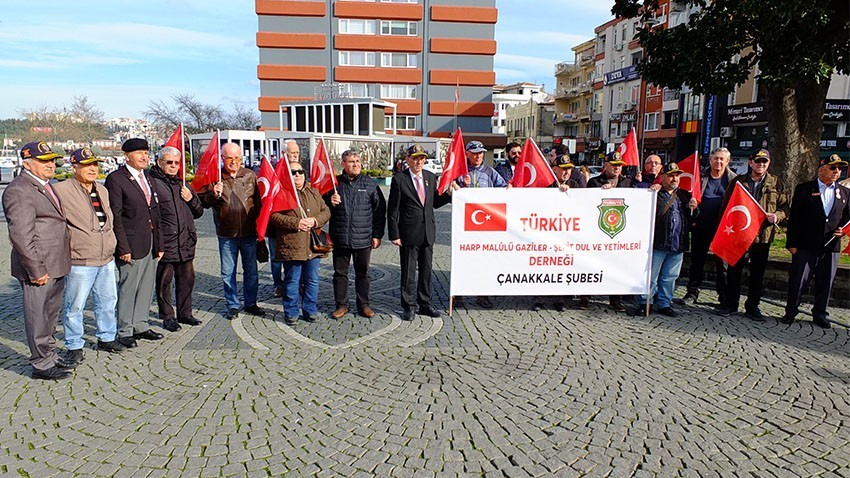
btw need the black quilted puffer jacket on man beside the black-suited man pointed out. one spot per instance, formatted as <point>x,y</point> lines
<point>362,214</point>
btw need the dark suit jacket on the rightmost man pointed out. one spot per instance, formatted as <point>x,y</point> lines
<point>808,226</point>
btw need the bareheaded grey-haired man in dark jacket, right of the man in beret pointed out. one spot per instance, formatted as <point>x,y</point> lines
<point>178,209</point>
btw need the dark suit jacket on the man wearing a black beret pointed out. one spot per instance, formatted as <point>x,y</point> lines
<point>136,224</point>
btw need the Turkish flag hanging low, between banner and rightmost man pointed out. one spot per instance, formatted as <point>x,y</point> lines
<point>738,227</point>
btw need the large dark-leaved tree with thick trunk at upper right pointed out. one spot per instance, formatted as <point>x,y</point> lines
<point>794,46</point>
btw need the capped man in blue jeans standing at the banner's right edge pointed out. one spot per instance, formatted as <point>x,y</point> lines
<point>673,215</point>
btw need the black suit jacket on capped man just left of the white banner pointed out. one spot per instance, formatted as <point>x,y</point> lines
<point>407,218</point>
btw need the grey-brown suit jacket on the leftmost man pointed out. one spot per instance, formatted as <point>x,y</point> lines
<point>40,240</point>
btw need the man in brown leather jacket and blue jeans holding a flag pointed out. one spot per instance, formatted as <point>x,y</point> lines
<point>235,201</point>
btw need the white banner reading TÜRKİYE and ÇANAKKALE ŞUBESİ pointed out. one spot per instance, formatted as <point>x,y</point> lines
<point>541,241</point>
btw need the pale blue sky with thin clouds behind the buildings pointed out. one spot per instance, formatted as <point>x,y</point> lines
<point>123,55</point>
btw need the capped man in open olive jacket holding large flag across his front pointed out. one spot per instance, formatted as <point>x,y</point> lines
<point>769,191</point>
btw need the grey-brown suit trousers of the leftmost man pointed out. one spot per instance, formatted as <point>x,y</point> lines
<point>41,314</point>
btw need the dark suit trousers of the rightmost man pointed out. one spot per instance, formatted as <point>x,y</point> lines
<point>805,265</point>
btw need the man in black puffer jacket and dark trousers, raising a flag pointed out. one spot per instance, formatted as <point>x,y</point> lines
<point>358,217</point>
